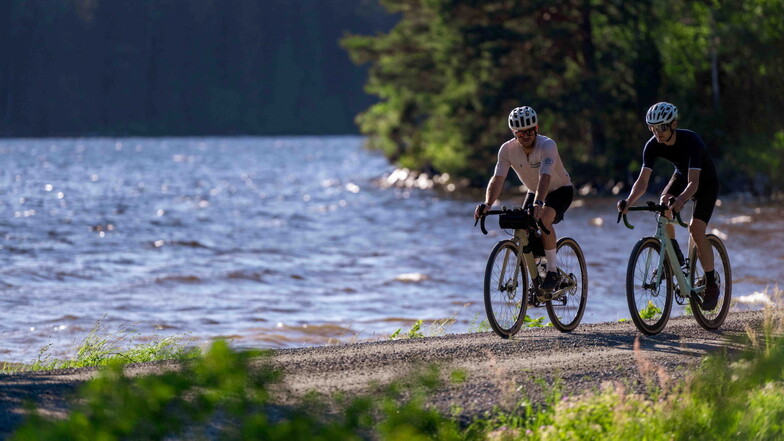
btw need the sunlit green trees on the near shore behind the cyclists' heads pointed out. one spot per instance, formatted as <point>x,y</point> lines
<point>450,71</point>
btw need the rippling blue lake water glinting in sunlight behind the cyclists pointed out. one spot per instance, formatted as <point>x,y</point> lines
<point>276,242</point>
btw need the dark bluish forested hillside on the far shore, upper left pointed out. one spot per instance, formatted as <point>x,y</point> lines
<point>181,67</point>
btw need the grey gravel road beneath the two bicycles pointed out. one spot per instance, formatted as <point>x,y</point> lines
<point>499,372</point>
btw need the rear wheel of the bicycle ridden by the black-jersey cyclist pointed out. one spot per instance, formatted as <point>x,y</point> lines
<point>712,319</point>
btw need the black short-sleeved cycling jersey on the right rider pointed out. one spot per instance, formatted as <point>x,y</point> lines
<point>688,151</point>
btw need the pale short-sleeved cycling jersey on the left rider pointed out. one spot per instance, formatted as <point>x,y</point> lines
<point>544,159</point>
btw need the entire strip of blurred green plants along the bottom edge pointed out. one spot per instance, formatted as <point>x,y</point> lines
<point>227,394</point>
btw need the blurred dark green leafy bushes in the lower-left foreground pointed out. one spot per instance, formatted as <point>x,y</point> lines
<point>227,393</point>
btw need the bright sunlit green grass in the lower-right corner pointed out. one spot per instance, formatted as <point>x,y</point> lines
<point>727,398</point>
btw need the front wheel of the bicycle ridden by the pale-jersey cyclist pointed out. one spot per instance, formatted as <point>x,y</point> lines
<point>506,285</point>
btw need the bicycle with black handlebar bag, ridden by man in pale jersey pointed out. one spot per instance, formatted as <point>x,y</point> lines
<point>507,293</point>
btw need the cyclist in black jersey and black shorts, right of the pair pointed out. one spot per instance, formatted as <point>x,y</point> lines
<point>694,178</point>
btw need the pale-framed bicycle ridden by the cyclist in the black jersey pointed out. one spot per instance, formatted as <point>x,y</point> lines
<point>652,265</point>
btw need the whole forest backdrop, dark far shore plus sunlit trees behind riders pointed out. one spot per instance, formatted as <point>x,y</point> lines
<point>430,82</point>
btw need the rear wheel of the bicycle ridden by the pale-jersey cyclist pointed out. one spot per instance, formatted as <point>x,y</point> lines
<point>567,308</point>
